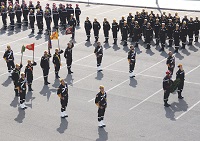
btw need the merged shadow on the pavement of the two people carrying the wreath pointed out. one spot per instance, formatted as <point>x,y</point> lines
<point>175,107</point>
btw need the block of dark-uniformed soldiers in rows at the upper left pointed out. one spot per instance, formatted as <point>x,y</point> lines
<point>61,13</point>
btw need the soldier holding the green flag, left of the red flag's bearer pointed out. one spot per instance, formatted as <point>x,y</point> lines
<point>15,77</point>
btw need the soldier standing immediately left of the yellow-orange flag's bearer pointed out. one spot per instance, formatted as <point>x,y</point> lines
<point>44,63</point>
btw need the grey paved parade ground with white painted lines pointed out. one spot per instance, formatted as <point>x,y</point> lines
<point>135,106</point>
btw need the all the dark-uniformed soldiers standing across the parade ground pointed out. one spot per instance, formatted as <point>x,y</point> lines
<point>141,27</point>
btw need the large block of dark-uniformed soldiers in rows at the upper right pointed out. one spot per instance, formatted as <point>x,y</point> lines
<point>147,26</point>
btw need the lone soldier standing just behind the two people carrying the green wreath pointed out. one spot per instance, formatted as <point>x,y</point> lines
<point>170,62</point>
